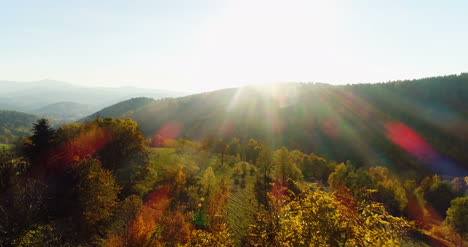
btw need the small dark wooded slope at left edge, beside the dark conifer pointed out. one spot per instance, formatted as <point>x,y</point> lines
<point>15,125</point>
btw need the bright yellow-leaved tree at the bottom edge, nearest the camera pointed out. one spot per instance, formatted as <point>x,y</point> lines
<point>319,218</point>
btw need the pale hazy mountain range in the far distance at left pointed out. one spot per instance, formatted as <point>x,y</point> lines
<point>59,99</point>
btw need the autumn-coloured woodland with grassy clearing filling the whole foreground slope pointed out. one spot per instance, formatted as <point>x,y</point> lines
<point>102,183</point>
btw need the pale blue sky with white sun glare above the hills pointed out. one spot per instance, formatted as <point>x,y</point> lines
<point>202,45</point>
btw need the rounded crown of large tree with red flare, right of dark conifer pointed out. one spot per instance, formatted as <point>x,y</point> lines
<point>118,144</point>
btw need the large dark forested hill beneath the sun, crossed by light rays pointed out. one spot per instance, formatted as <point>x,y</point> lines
<point>412,125</point>
